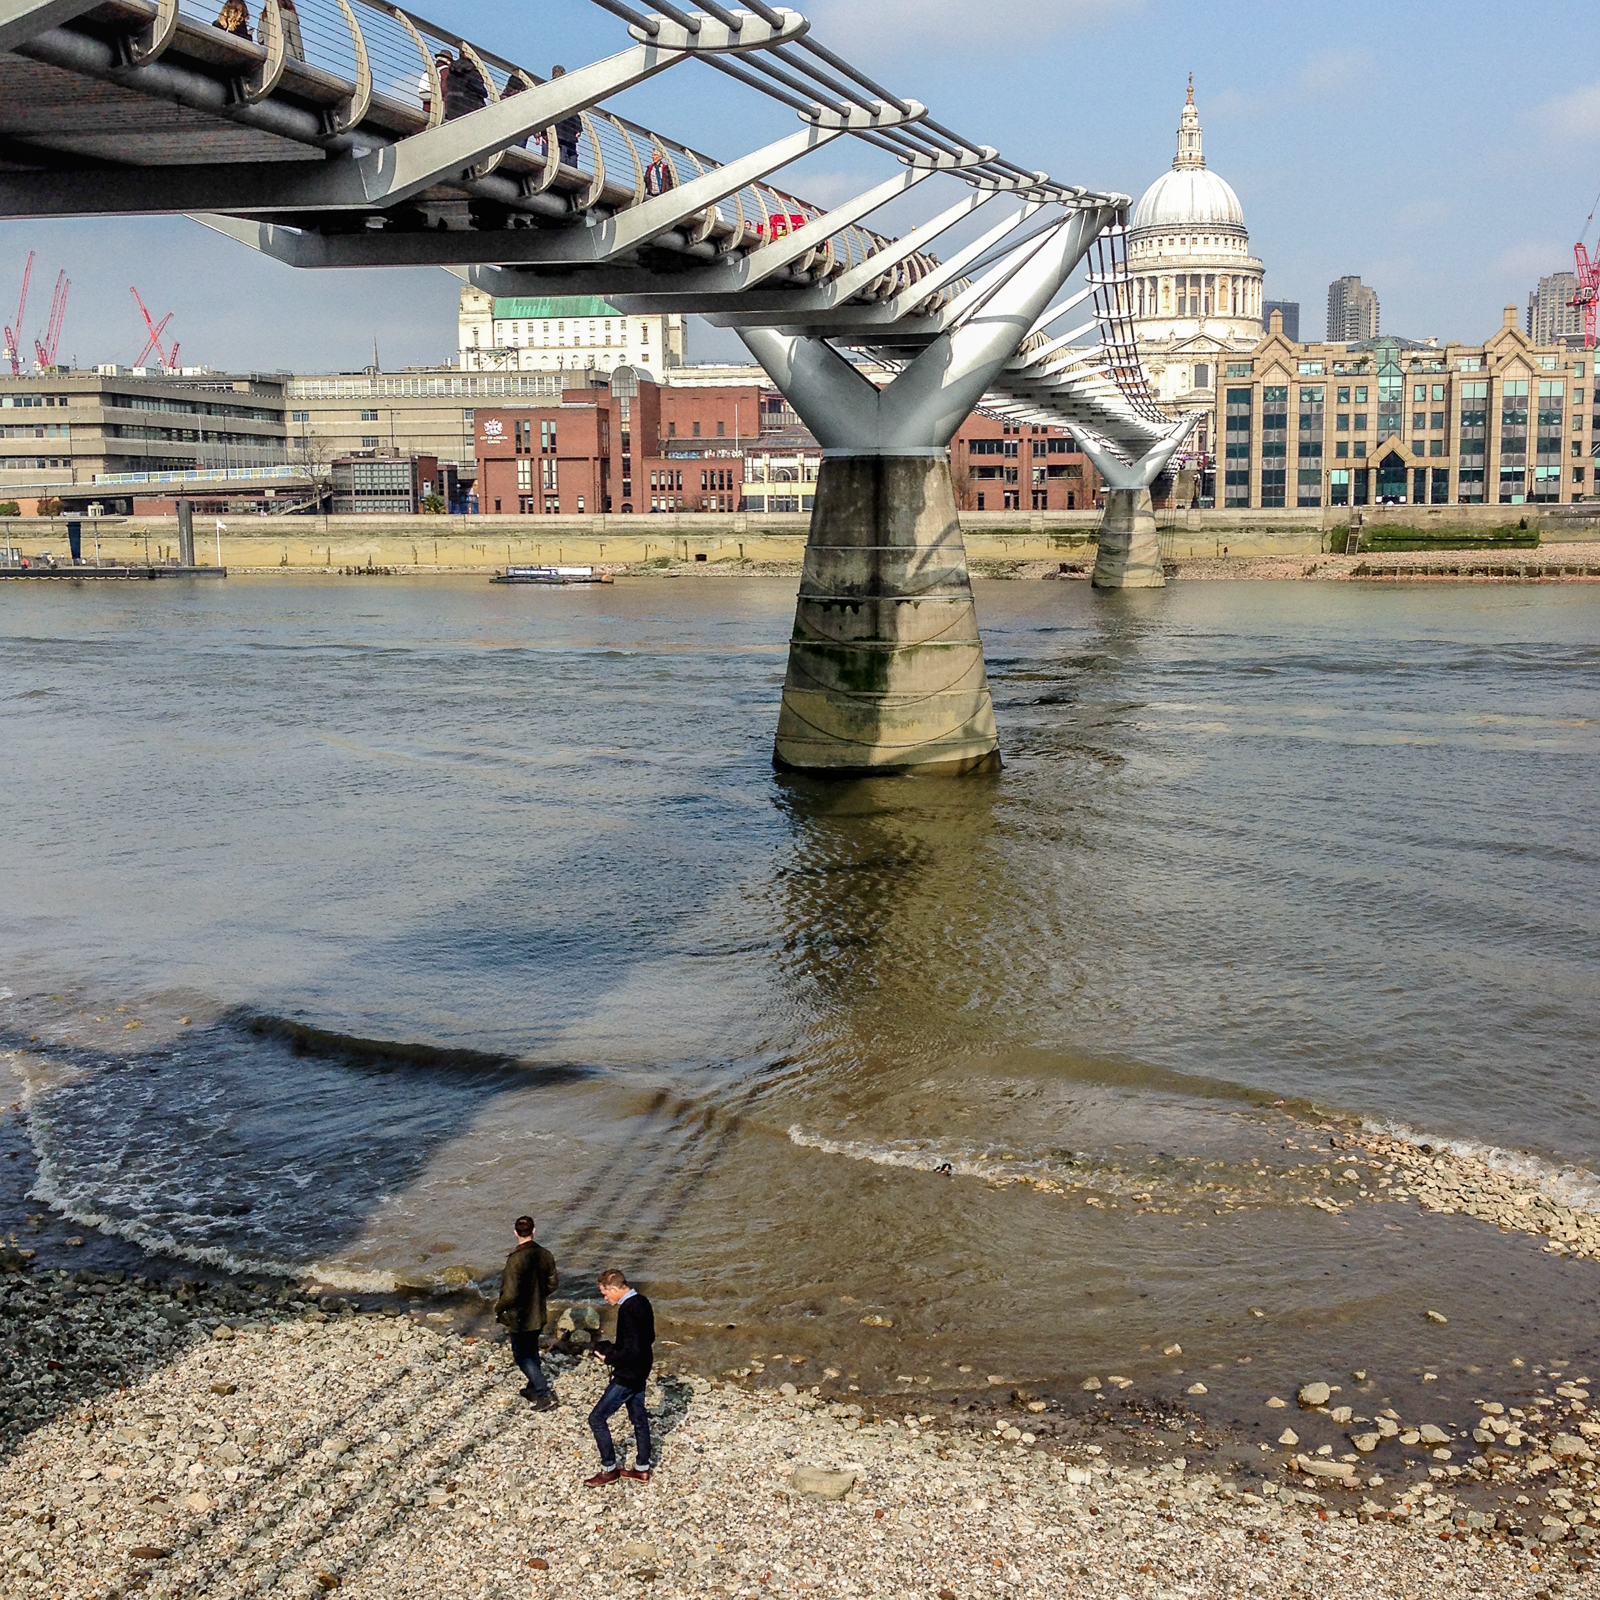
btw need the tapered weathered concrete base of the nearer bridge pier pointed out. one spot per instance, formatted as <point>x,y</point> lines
<point>886,666</point>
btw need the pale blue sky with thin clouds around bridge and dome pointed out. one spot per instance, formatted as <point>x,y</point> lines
<point>1449,154</point>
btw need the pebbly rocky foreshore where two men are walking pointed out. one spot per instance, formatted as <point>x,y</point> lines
<point>230,1441</point>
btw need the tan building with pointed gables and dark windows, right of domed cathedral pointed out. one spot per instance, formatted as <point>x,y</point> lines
<point>1393,422</point>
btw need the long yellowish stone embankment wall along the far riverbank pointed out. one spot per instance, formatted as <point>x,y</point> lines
<point>489,543</point>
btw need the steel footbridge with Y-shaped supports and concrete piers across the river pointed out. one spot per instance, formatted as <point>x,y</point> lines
<point>327,134</point>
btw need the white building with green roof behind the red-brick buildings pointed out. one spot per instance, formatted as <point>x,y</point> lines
<point>564,334</point>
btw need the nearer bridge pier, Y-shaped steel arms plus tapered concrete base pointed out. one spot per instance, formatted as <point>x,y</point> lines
<point>886,665</point>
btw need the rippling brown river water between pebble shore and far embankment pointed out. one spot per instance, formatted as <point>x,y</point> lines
<point>484,900</point>
